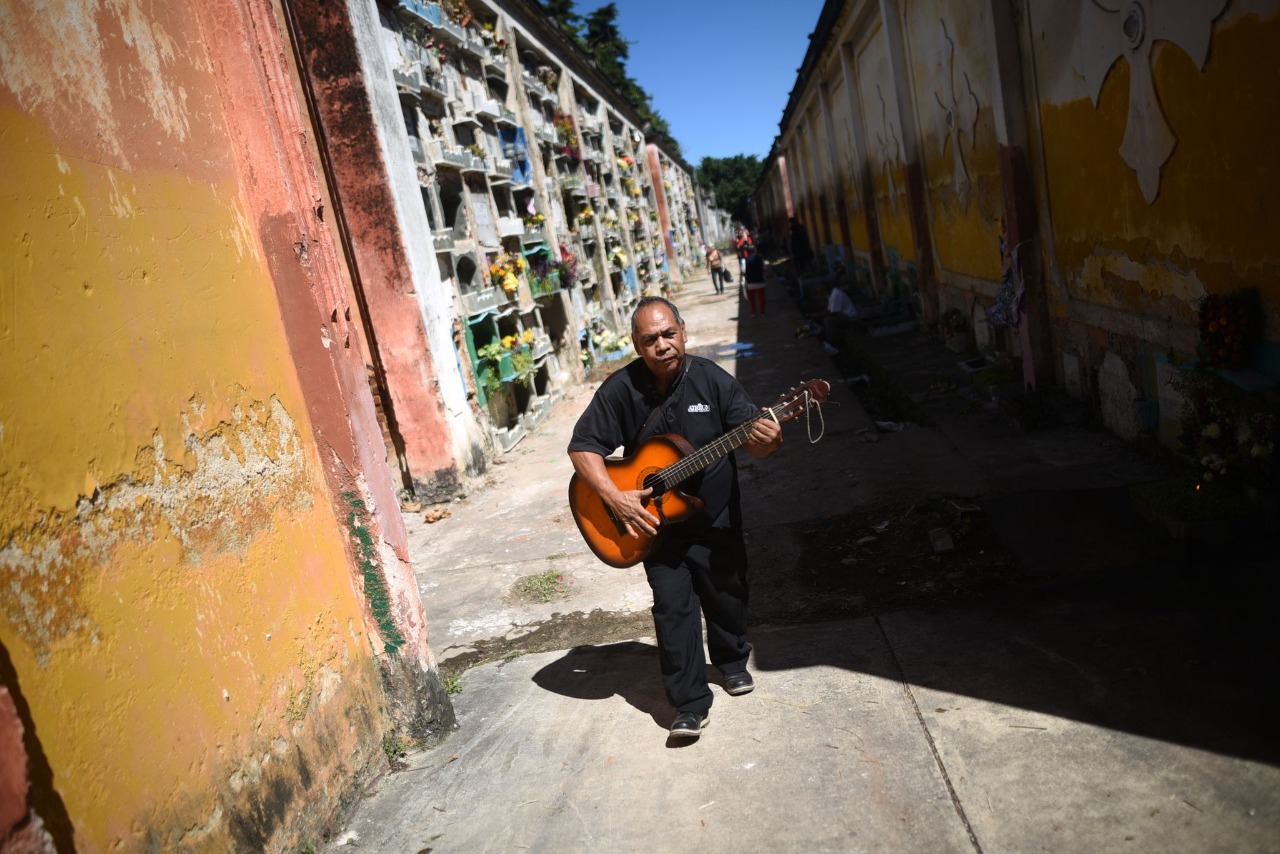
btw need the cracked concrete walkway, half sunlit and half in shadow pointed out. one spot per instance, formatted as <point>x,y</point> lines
<point>1060,681</point>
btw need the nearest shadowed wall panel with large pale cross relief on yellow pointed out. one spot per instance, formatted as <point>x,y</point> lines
<point>1139,111</point>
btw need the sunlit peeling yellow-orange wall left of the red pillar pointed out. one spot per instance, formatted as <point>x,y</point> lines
<point>180,605</point>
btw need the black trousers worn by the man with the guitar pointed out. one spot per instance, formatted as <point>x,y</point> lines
<point>692,581</point>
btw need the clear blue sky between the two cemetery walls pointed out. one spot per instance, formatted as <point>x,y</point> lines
<point>719,72</point>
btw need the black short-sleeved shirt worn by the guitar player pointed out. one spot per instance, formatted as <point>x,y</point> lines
<point>703,405</point>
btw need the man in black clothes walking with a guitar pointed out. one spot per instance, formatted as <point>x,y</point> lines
<point>698,569</point>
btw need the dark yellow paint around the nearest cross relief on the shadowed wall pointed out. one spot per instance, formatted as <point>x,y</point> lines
<point>1213,229</point>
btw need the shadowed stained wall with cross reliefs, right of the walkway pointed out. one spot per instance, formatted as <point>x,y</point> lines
<point>1127,154</point>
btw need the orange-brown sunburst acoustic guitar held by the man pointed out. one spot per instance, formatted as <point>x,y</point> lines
<point>662,464</point>
